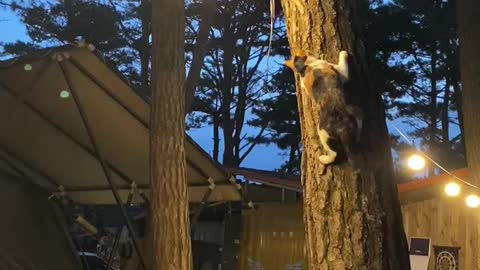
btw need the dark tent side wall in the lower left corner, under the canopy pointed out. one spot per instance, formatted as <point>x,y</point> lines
<point>32,235</point>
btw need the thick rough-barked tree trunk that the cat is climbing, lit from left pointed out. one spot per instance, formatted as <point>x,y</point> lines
<point>352,217</point>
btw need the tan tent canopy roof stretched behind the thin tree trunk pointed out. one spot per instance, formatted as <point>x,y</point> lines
<point>44,139</point>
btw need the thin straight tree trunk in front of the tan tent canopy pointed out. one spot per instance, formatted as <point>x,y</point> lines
<point>169,203</point>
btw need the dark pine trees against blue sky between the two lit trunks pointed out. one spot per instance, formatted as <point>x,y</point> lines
<point>231,81</point>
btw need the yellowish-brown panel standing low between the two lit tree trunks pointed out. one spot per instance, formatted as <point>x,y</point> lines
<point>272,237</point>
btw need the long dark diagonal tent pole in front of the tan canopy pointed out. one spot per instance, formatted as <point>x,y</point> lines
<point>103,163</point>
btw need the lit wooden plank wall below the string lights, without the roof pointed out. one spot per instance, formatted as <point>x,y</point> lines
<point>448,222</point>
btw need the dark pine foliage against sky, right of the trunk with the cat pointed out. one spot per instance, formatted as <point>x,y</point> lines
<point>415,44</point>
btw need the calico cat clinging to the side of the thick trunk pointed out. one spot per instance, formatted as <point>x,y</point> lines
<point>339,123</point>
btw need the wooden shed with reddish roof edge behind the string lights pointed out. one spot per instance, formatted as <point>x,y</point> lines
<point>452,226</point>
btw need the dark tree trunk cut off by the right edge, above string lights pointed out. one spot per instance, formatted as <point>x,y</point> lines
<point>467,16</point>
